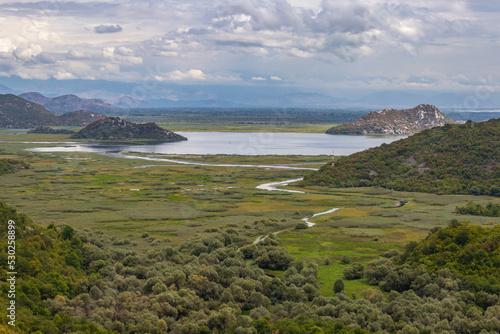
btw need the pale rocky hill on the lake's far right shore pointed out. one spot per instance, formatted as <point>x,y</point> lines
<point>394,122</point>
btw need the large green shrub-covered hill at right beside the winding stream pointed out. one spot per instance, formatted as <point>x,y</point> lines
<point>454,159</point>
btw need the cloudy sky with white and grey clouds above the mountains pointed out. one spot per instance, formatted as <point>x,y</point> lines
<point>331,46</point>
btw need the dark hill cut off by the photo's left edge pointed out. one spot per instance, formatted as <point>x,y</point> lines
<point>16,112</point>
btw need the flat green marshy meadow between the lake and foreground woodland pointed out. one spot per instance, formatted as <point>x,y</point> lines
<point>143,204</point>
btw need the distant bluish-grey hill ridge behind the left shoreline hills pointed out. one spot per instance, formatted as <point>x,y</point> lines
<point>68,103</point>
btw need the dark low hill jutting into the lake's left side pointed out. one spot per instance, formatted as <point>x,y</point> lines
<point>115,128</point>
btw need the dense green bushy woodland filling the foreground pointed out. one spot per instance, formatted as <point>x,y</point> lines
<point>83,282</point>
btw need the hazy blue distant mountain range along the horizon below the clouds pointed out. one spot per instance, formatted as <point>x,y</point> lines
<point>105,97</point>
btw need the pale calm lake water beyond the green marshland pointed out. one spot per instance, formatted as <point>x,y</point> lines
<point>243,144</point>
